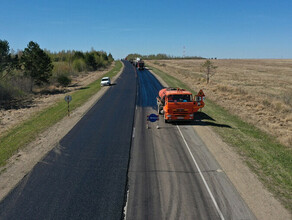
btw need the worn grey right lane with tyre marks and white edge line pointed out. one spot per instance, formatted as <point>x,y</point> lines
<point>172,175</point>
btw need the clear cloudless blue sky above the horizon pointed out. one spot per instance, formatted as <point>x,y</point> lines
<point>208,28</point>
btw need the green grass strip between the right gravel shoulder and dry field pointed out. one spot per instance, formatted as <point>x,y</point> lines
<point>271,161</point>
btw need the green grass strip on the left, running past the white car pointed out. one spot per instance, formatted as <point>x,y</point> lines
<point>26,132</point>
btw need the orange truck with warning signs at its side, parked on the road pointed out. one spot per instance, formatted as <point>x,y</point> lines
<point>178,104</point>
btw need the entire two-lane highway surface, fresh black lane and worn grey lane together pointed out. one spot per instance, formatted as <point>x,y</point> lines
<point>172,175</point>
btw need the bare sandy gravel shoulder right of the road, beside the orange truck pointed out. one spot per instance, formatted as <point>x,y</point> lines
<point>257,197</point>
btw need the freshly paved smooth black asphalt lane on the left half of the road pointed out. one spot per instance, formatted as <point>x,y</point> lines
<point>85,176</point>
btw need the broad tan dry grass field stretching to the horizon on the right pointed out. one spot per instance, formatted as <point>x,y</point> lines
<point>258,91</point>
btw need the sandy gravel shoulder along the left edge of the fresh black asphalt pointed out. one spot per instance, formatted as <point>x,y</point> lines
<point>21,163</point>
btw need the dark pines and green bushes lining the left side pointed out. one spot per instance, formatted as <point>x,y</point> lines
<point>23,70</point>
